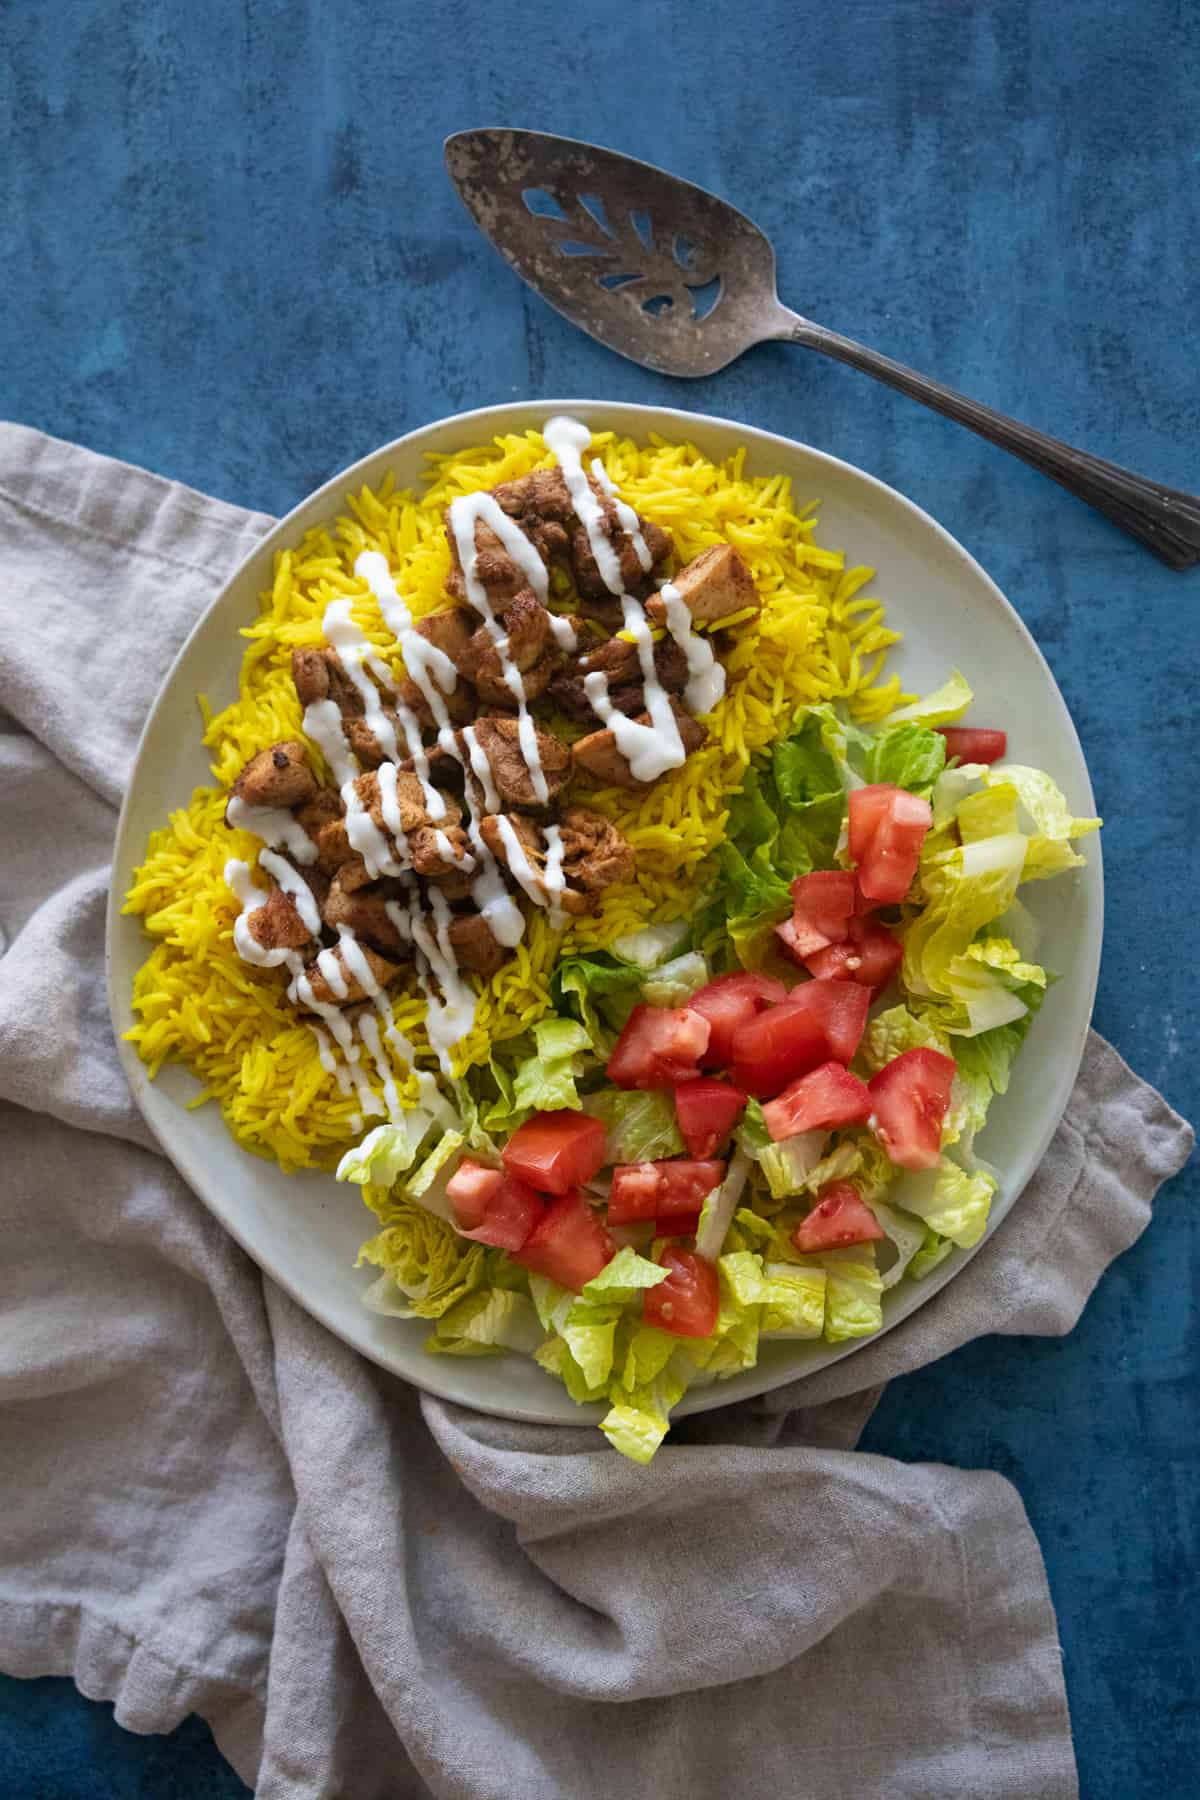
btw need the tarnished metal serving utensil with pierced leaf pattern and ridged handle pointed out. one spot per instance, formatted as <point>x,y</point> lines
<point>681,282</point>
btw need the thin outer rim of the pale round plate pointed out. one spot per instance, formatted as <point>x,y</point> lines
<point>514,415</point>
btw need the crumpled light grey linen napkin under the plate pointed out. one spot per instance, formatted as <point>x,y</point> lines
<point>213,1506</point>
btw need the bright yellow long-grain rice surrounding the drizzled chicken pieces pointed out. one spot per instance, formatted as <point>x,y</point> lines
<point>818,638</point>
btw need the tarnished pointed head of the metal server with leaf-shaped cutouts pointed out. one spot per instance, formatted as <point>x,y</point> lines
<point>656,269</point>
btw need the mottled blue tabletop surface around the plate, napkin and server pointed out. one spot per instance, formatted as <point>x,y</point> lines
<point>229,253</point>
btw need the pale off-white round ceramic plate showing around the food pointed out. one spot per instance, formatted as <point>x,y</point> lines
<point>305,1230</point>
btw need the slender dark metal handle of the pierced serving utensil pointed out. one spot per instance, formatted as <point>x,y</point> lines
<point>1165,519</point>
